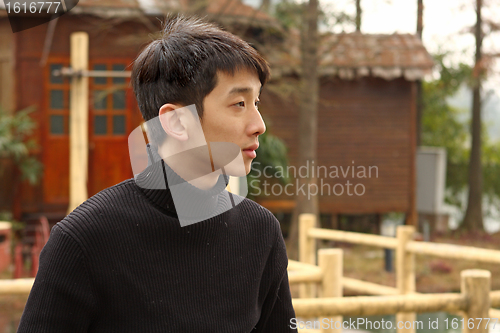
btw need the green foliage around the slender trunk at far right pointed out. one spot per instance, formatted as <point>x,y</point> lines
<point>442,127</point>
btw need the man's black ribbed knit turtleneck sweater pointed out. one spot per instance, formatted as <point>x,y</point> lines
<point>121,262</point>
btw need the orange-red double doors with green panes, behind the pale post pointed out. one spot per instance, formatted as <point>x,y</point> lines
<point>113,114</point>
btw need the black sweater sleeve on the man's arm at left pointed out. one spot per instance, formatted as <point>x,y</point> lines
<point>61,299</point>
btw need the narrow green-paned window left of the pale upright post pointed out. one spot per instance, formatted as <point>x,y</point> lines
<point>58,101</point>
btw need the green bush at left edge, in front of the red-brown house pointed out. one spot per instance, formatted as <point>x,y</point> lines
<point>14,143</point>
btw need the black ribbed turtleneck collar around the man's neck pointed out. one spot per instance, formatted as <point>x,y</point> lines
<point>158,181</point>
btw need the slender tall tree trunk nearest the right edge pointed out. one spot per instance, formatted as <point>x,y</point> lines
<point>473,219</point>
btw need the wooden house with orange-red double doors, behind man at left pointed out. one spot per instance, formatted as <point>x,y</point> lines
<point>117,30</point>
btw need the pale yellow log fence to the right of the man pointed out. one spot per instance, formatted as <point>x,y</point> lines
<point>474,301</point>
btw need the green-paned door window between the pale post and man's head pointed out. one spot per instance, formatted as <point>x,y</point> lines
<point>109,101</point>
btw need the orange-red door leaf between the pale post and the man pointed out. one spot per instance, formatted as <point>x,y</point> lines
<point>113,115</point>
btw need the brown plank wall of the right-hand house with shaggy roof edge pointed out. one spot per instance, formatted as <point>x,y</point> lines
<point>367,121</point>
